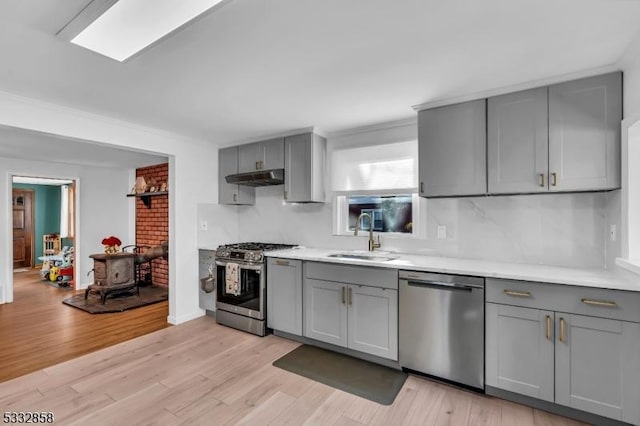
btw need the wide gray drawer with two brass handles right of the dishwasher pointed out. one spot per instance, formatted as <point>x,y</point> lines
<point>597,302</point>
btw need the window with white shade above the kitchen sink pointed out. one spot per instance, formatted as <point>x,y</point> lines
<point>380,180</point>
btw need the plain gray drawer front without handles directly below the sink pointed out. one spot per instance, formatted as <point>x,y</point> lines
<point>371,276</point>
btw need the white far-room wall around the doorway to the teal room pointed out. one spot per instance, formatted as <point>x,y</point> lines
<point>100,199</point>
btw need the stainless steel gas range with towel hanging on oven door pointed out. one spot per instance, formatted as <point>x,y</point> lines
<point>241,292</point>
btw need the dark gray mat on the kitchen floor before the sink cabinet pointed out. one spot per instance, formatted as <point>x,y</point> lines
<point>362,378</point>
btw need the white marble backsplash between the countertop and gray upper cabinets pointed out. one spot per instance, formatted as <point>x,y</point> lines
<point>554,229</point>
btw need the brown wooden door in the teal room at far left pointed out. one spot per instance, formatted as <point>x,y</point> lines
<point>22,201</point>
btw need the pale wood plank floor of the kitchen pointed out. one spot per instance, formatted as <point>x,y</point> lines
<point>200,373</point>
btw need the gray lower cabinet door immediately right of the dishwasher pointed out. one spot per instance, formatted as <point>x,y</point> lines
<point>520,350</point>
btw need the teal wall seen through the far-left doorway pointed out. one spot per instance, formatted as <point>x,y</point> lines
<point>46,212</point>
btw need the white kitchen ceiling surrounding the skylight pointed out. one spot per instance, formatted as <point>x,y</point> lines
<point>261,67</point>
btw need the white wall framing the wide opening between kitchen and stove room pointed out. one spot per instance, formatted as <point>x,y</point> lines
<point>192,170</point>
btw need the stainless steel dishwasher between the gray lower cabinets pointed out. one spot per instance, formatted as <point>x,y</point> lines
<point>442,326</point>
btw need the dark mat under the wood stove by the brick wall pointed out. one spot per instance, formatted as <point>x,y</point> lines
<point>119,302</point>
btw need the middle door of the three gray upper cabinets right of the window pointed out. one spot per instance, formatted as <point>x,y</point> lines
<point>518,142</point>
